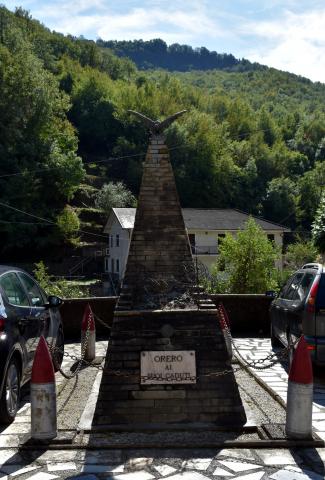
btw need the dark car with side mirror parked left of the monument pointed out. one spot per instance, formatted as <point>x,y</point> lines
<point>26,313</point>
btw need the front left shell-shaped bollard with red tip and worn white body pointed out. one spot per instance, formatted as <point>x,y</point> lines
<point>43,394</point>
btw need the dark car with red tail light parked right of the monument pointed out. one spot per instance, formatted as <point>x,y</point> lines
<point>300,309</point>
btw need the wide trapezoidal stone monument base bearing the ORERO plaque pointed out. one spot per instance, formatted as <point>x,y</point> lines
<point>168,367</point>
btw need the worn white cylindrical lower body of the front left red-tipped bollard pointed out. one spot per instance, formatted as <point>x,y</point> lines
<point>43,411</point>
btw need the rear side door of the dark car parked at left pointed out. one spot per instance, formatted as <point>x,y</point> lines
<point>18,310</point>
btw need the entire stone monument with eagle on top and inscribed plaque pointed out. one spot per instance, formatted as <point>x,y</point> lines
<point>167,361</point>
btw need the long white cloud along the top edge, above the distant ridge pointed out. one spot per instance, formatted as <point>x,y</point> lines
<point>174,23</point>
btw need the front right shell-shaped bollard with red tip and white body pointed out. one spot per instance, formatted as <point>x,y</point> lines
<point>300,394</point>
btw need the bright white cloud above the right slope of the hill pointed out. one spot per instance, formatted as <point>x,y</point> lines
<point>295,42</point>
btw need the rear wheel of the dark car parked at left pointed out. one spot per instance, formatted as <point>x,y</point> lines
<point>9,401</point>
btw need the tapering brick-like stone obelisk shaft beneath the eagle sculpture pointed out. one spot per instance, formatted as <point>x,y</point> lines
<point>160,259</point>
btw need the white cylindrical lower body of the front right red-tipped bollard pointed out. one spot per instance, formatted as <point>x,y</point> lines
<point>299,410</point>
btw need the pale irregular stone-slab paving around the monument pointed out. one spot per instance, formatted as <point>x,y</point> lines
<point>172,464</point>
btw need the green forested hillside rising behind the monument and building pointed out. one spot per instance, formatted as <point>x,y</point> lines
<point>253,140</point>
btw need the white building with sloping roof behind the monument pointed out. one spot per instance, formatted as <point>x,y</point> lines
<point>205,228</point>
